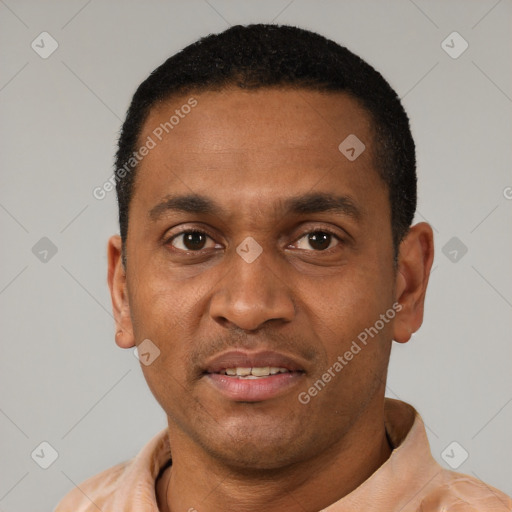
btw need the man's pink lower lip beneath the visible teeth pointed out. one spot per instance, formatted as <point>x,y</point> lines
<point>254,390</point>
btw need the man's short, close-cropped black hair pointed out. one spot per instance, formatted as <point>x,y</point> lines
<point>266,55</point>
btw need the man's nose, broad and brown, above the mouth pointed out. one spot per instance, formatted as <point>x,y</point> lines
<point>251,294</point>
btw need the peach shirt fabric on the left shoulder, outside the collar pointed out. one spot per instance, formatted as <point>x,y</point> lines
<point>94,492</point>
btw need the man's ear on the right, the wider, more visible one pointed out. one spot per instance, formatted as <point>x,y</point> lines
<point>415,257</point>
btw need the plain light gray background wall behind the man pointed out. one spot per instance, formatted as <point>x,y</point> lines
<point>62,377</point>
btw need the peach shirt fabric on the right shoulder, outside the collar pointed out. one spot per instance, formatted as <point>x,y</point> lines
<point>463,493</point>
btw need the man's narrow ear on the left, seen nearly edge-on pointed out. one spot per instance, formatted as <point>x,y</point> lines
<point>118,293</point>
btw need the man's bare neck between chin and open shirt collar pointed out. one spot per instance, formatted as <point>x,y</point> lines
<point>196,481</point>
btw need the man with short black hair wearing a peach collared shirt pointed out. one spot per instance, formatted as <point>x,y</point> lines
<point>266,186</point>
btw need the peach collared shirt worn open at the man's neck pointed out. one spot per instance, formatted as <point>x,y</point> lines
<point>409,481</point>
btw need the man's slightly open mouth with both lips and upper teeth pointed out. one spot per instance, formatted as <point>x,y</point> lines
<point>253,376</point>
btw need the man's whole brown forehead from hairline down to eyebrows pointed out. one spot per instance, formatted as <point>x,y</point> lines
<point>251,145</point>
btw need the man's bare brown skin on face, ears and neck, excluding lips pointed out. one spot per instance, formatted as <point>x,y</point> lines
<point>248,152</point>
